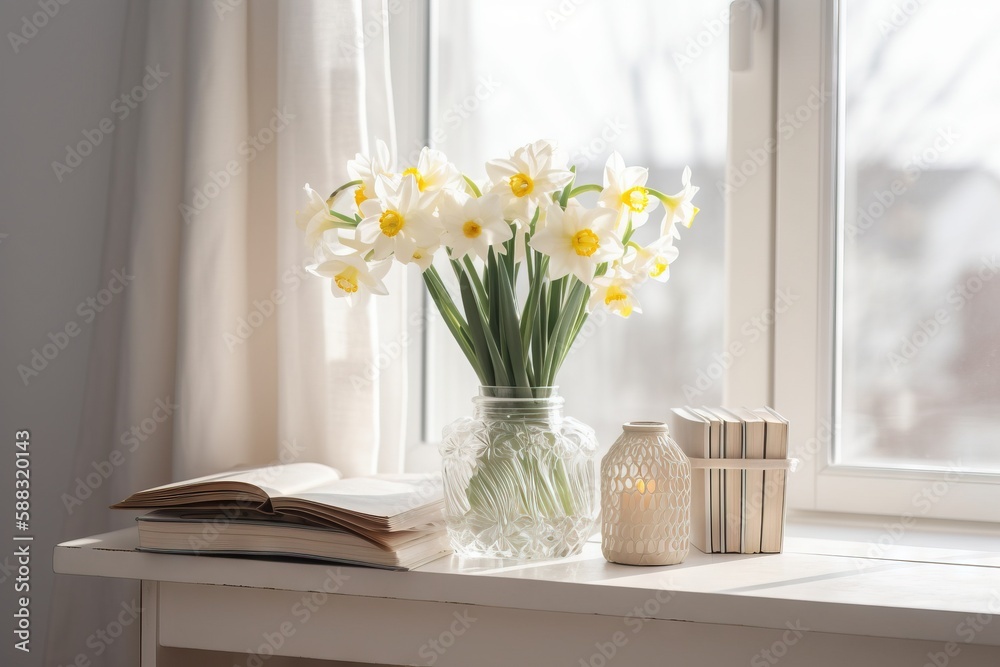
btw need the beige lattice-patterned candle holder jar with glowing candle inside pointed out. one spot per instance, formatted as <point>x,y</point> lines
<point>646,497</point>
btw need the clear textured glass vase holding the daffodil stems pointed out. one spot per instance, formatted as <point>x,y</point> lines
<point>519,477</point>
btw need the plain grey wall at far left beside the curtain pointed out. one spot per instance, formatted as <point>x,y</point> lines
<point>58,84</point>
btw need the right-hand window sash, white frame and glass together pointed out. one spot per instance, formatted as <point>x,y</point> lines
<point>887,364</point>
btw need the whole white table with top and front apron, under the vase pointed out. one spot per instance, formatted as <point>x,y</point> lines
<point>799,608</point>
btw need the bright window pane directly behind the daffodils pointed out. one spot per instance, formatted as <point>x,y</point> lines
<point>646,78</point>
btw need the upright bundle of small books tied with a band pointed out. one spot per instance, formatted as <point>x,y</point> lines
<point>737,506</point>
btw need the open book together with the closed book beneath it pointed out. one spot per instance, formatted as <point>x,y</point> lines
<point>301,510</point>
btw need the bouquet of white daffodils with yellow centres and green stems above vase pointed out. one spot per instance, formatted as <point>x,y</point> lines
<point>525,222</point>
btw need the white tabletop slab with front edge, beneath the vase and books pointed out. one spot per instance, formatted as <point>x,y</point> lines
<point>910,599</point>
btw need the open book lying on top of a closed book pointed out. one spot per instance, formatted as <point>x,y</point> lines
<point>309,491</point>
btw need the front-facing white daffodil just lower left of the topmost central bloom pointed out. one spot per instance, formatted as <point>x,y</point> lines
<point>473,225</point>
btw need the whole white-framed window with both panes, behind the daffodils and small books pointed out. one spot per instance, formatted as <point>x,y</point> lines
<point>828,304</point>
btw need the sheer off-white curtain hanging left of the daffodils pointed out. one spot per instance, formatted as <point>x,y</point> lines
<point>224,352</point>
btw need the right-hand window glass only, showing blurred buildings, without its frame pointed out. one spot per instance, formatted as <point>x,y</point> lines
<point>920,313</point>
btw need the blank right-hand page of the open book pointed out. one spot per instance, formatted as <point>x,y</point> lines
<point>381,496</point>
